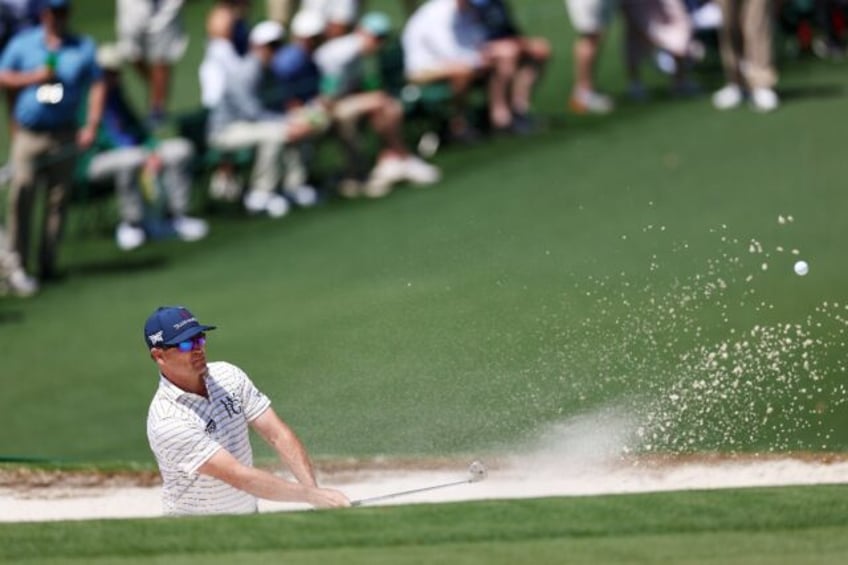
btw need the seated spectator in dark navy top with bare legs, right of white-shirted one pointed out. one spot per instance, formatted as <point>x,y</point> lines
<point>518,60</point>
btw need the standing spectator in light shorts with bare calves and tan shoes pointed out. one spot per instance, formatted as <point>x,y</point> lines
<point>590,19</point>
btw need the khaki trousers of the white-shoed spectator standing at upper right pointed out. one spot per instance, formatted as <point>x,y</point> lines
<point>746,42</point>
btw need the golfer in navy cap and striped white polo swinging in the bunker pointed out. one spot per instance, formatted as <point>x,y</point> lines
<point>198,429</point>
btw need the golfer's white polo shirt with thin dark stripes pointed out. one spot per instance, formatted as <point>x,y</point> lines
<point>185,430</point>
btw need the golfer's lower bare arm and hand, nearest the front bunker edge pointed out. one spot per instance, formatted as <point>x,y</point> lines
<point>262,484</point>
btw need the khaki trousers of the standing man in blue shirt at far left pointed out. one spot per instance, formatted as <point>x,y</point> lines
<point>51,156</point>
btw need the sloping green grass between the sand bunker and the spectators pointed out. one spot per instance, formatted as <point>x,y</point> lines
<point>574,272</point>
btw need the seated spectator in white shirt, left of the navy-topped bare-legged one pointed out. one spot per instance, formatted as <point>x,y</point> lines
<point>443,42</point>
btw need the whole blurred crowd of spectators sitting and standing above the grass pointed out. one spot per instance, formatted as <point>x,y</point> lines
<point>315,70</point>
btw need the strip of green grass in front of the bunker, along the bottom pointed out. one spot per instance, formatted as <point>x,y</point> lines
<point>790,525</point>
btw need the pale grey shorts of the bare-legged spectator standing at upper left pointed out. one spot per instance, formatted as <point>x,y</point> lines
<point>144,35</point>
